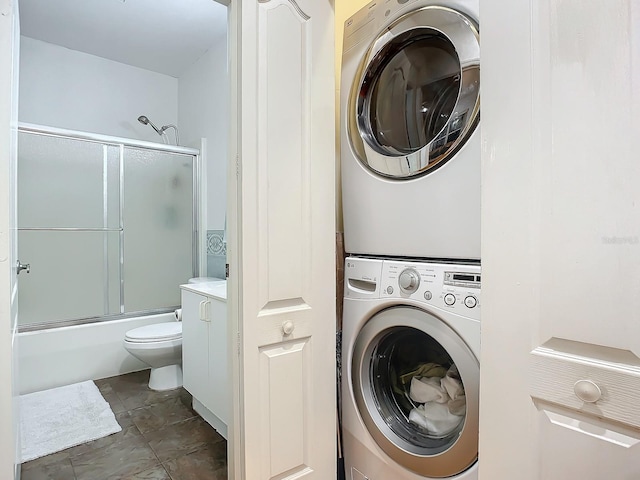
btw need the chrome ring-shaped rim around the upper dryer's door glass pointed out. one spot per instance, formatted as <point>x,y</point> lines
<point>464,36</point>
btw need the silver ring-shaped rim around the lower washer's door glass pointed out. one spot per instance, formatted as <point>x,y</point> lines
<point>463,453</point>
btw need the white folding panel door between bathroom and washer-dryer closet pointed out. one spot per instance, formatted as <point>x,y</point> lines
<point>286,260</point>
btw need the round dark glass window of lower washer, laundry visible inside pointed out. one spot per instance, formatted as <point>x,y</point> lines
<point>417,389</point>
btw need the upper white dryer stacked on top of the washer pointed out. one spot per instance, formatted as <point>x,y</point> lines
<point>410,146</point>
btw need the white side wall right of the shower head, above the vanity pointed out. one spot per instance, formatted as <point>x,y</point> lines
<point>203,101</point>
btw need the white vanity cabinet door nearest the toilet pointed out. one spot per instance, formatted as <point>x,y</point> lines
<point>195,345</point>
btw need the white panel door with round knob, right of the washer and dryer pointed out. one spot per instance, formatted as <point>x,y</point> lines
<point>560,363</point>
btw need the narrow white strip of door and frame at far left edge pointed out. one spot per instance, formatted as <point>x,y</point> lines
<point>9,41</point>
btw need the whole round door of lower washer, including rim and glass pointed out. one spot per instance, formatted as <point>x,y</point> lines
<point>415,382</point>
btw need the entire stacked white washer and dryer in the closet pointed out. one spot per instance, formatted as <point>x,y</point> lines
<point>410,153</point>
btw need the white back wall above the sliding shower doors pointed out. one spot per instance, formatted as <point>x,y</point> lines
<point>69,89</point>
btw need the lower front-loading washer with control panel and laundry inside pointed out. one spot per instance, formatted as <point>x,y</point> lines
<point>410,370</point>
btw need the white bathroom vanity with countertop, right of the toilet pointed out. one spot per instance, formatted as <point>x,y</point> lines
<point>204,351</point>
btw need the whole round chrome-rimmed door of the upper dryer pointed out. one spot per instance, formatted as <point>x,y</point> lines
<point>416,97</point>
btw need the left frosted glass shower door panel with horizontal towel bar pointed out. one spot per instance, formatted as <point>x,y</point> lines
<point>68,228</point>
